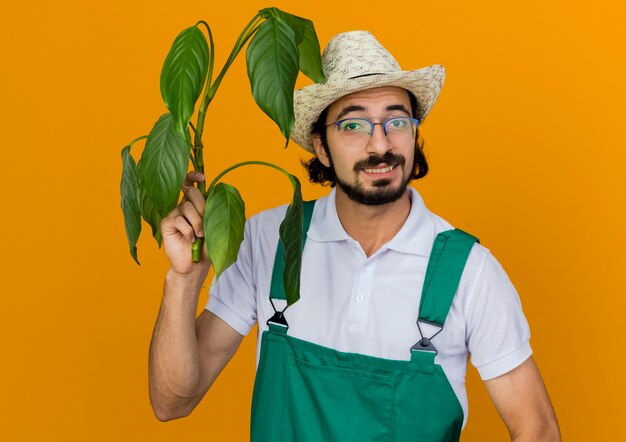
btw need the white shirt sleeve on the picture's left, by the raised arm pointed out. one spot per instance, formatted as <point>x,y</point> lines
<point>233,296</point>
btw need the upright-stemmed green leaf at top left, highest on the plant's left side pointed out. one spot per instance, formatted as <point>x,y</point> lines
<point>183,75</point>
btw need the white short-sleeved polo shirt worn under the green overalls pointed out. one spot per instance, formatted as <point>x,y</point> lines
<point>369,305</point>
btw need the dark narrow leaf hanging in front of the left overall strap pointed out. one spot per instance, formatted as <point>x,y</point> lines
<point>291,236</point>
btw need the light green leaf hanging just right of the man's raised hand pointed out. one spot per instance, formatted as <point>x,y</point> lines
<point>224,219</point>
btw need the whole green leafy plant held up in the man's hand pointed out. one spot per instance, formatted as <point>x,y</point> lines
<point>281,45</point>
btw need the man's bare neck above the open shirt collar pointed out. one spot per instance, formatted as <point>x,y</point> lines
<point>372,226</point>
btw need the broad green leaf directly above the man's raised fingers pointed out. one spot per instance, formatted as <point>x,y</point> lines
<point>163,165</point>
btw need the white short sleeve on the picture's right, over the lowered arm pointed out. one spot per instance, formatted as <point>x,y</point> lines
<point>497,331</point>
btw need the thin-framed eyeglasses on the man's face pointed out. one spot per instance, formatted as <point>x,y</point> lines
<point>356,132</point>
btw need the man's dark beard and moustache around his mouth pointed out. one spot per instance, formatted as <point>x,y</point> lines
<point>383,192</point>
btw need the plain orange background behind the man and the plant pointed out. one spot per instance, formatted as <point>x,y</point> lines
<point>526,150</point>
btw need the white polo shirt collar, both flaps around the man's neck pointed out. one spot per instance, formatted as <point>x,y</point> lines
<point>415,237</point>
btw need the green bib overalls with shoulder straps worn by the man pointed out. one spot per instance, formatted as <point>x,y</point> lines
<point>304,392</point>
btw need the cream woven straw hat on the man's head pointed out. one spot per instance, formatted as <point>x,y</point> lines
<point>354,61</point>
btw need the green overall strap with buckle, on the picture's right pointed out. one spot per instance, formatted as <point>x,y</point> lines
<point>443,274</point>
